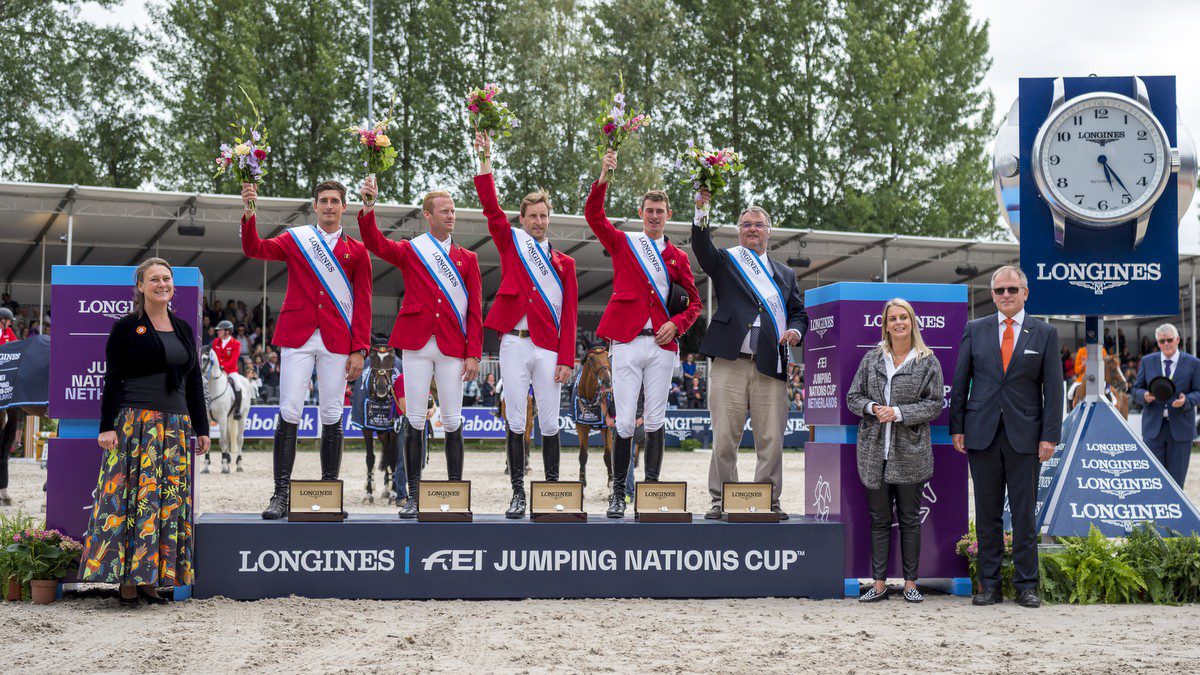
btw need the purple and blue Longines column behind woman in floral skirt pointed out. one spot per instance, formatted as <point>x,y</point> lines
<point>88,301</point>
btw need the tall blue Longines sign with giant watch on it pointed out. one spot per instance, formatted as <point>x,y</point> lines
<point>1100,272</point>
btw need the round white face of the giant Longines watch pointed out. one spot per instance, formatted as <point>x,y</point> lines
<point>1103,160</point>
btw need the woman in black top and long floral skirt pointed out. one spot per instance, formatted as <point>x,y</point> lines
<point>141,530</point>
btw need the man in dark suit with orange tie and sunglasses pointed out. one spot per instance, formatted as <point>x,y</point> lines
<point>1006,415</point>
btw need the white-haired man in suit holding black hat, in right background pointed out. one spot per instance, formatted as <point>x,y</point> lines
<point>1169,427</point>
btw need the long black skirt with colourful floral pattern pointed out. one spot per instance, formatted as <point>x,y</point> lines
<point>141,528</point>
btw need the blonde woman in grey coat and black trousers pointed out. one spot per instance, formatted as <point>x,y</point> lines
<point>898,392</point>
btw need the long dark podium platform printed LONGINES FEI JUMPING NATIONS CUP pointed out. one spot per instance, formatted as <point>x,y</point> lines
<point>380,557</point>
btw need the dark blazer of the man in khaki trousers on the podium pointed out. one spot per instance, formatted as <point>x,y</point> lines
<point>737,307</point>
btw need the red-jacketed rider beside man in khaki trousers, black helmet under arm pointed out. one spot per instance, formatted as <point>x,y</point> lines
<point>644,320</point>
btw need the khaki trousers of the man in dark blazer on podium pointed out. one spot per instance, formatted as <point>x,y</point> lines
<point>736,387</point>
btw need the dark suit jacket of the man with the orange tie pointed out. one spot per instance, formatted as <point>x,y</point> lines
<point>1029,395</point>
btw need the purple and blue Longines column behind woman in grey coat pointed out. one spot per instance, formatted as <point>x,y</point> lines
<point>845,324</point>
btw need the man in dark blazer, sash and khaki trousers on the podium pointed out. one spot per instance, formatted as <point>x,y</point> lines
<point>759,315</point>
